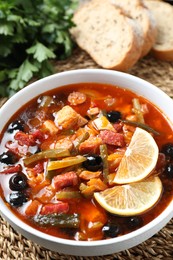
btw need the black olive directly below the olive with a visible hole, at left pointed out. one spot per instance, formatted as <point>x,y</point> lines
<point>17,199</point>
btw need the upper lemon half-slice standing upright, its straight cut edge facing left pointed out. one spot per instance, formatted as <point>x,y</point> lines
<point>139,159</point>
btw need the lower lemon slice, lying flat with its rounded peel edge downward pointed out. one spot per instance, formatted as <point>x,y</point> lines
<point>130,199</point>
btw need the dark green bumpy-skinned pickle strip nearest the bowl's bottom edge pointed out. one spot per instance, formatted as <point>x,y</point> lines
<point>58,220</point>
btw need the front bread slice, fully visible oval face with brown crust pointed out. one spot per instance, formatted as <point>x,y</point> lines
<point>107,35</point>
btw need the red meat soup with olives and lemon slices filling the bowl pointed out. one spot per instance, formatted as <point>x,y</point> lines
<point>87,162</point>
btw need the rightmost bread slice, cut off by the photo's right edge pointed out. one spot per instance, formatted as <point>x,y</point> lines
<point>163,13</point>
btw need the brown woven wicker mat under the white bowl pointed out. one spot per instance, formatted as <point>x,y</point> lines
<point>160,246</point>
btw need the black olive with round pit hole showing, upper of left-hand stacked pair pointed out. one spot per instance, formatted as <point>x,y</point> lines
<point>18,182</point>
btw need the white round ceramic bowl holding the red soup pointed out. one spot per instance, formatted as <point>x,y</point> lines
<point>86,248</point>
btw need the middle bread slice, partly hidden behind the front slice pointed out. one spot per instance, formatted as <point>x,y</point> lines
<point>143,17</point>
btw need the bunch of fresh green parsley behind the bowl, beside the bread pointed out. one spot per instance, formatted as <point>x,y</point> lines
<point>32,33</point>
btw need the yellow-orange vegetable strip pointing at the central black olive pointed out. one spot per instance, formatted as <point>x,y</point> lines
<point>53,165</point>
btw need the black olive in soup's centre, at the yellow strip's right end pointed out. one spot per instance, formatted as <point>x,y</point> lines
<point>93,163</point>
